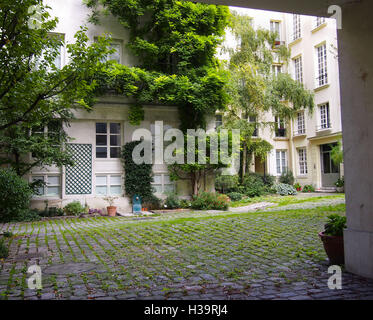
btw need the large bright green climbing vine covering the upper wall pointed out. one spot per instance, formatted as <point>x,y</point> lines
<point>175,42</point>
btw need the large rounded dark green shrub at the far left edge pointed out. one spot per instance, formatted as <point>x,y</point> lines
<point>15,195</point>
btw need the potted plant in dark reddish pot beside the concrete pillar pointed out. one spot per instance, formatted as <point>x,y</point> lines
<point>332,238</point>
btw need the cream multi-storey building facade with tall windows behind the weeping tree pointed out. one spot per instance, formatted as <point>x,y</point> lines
<point>304,144</point>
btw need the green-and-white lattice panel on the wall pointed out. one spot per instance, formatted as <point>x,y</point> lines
<point>79,176</point>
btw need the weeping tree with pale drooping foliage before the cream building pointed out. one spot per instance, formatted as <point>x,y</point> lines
<point>255,90</point>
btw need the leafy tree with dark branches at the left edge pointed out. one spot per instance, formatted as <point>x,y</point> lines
<point>34,90</point>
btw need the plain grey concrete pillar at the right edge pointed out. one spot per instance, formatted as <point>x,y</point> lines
<point>356,75</point>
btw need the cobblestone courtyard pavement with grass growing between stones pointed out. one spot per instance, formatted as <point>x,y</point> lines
<point>267,255</point>
